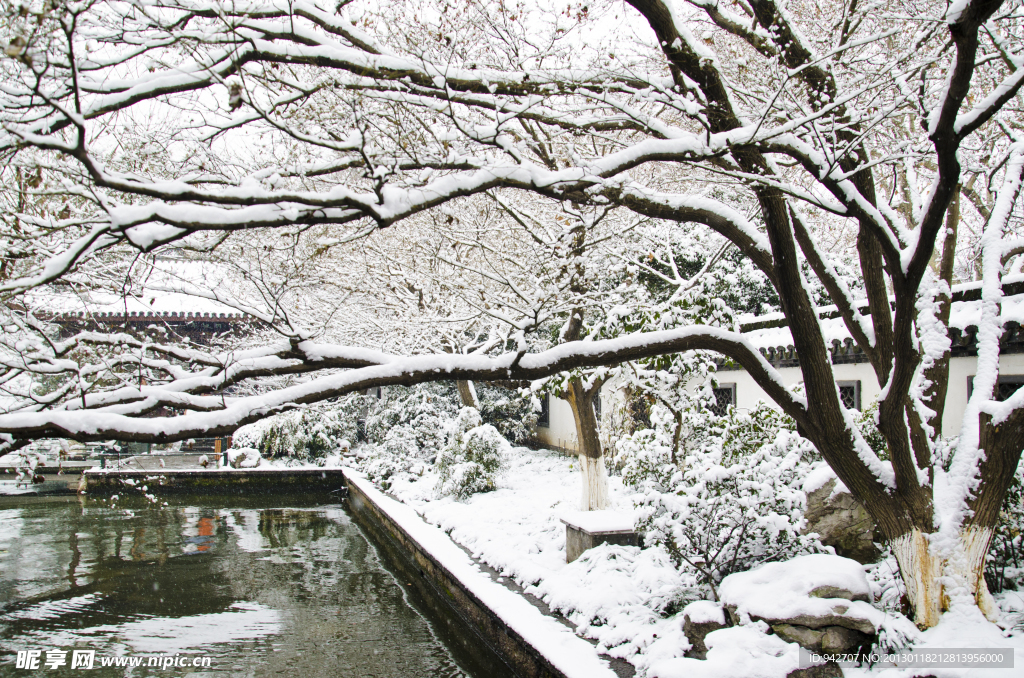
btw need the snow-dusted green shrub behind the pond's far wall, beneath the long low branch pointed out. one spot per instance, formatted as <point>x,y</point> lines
<point>311,435</point>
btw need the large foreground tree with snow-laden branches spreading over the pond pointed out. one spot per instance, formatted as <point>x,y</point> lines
<point>799,133</point>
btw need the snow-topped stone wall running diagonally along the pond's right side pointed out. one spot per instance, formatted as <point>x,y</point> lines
<point>531,644</point>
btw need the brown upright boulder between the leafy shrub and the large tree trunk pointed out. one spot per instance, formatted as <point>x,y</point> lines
<point>842,523</point>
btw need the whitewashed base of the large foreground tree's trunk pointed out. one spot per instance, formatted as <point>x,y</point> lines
<point>936,582</point>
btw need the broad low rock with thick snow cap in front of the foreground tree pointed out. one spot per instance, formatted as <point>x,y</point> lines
<point>819,602</point>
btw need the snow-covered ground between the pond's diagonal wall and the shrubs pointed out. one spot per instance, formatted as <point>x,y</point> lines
<point>626,599</point>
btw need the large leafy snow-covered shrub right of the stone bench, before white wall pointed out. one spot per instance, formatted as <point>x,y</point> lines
<point>733,501</point>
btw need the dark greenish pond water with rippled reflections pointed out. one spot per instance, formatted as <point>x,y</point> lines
<point>275,587</point>
